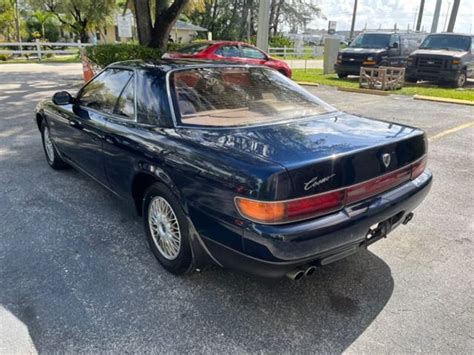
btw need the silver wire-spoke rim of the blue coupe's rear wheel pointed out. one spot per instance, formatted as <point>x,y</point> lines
<point>164,228</point>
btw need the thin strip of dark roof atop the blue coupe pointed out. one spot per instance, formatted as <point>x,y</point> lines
<point>167,65</point>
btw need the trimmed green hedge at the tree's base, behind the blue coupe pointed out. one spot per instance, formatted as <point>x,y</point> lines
<point>105,54</point>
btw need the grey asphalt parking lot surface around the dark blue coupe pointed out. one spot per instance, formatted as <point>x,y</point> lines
<point>76,274</point>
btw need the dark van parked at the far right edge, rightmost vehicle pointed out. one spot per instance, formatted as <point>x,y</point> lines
<point>443,57</point>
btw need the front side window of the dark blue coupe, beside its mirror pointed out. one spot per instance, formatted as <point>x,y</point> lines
<point>104,90</point>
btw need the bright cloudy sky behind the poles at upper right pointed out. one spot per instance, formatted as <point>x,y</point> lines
<point>386,13</point>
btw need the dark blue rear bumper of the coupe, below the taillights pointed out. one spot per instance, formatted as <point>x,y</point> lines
<point>273,251</point>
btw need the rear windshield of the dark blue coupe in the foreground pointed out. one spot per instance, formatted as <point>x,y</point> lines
<point>236,96</point>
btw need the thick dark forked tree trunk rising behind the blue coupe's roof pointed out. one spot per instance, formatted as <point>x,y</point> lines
<point>156,33</point>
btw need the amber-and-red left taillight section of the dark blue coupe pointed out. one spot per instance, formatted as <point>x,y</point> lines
<point>290,211</point>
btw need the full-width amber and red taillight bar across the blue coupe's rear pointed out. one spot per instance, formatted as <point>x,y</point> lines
<point>277,212</point>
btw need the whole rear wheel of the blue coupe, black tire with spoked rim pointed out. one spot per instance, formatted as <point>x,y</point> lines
<point>167,229</point>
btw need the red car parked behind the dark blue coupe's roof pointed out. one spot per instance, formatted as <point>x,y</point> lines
<point>230,51</point>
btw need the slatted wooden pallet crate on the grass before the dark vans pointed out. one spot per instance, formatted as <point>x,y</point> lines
<point>382,78</point>
